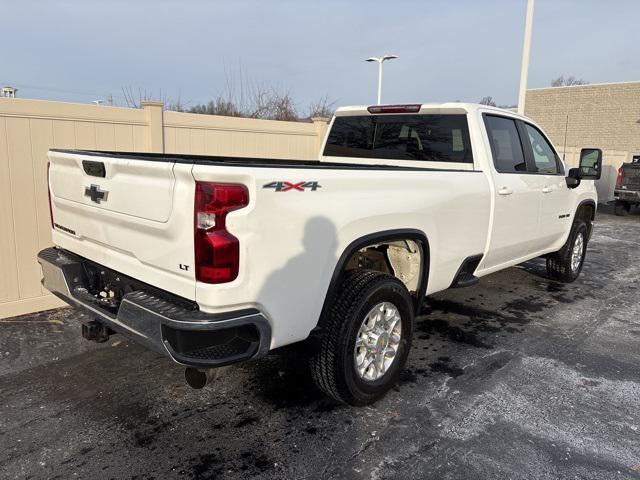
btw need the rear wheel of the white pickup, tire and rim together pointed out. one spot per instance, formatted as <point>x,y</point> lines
<point>365,339</point>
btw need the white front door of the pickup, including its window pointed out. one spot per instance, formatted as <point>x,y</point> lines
<point>544,163</point>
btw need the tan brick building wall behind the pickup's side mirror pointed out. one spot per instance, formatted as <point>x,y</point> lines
<point>601,115</point>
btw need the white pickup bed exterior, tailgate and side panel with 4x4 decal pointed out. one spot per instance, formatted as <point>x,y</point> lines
<point>145,228</point>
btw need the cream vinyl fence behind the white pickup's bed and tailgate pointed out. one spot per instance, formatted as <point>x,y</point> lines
<point>29,128</point>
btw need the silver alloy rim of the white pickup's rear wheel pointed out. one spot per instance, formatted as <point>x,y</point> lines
<point>377,341</point>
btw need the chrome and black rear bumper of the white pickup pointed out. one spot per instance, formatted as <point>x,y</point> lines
<point>169,325</point>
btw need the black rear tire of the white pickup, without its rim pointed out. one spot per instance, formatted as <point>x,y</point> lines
<point>333,365</point>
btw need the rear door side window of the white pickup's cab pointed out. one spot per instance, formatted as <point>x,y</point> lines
<point>506,149</point>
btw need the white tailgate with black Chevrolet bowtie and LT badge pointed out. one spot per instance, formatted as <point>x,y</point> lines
<point>133,215</point>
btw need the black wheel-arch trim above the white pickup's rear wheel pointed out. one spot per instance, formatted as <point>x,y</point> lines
<point>372,239</point>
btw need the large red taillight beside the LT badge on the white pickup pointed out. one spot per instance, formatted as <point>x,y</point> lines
<point>217,252</point>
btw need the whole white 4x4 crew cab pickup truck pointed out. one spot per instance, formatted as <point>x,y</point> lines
<point>217,260</point>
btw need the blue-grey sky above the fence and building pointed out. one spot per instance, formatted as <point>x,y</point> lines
<point>82,50</point>
